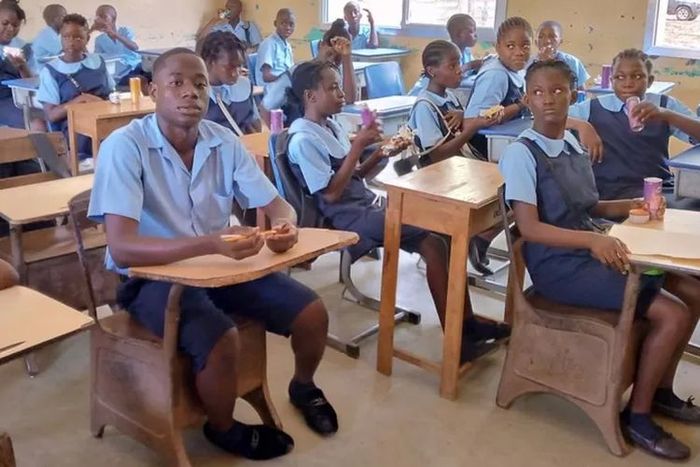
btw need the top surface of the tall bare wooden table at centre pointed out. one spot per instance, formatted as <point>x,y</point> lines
<point>457,180</point>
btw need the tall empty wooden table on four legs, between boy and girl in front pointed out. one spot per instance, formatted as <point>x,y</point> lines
<point>456,197</point>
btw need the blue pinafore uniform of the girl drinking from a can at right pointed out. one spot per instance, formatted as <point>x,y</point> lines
<point>629,157</point>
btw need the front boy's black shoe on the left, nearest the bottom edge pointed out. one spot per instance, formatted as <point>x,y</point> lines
<point>256,442</point>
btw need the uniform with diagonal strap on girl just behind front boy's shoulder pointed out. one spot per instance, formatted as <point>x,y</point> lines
<point>238,100</point>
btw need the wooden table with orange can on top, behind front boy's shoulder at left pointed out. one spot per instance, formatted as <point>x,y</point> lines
<point>98,119</point>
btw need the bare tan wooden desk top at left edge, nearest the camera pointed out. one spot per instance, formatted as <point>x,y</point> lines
<point>29,319</point>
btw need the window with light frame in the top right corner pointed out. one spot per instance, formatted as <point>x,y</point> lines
<point>673,28</point>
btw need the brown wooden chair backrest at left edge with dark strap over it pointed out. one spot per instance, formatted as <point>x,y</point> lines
<point>20,155</point>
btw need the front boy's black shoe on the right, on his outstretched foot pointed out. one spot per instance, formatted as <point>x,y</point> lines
<point>317,411</point>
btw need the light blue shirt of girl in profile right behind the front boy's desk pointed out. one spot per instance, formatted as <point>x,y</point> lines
<point>311,148</point>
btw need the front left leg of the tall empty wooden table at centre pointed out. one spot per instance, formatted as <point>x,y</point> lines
<point>392,241</point>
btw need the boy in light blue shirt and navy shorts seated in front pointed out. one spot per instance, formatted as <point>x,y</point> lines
<point>194,169</point>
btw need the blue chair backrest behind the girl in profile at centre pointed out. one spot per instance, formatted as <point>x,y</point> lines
<point>289,185</point>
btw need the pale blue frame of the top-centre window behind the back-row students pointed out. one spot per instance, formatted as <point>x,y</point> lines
<point>425,30</point>
